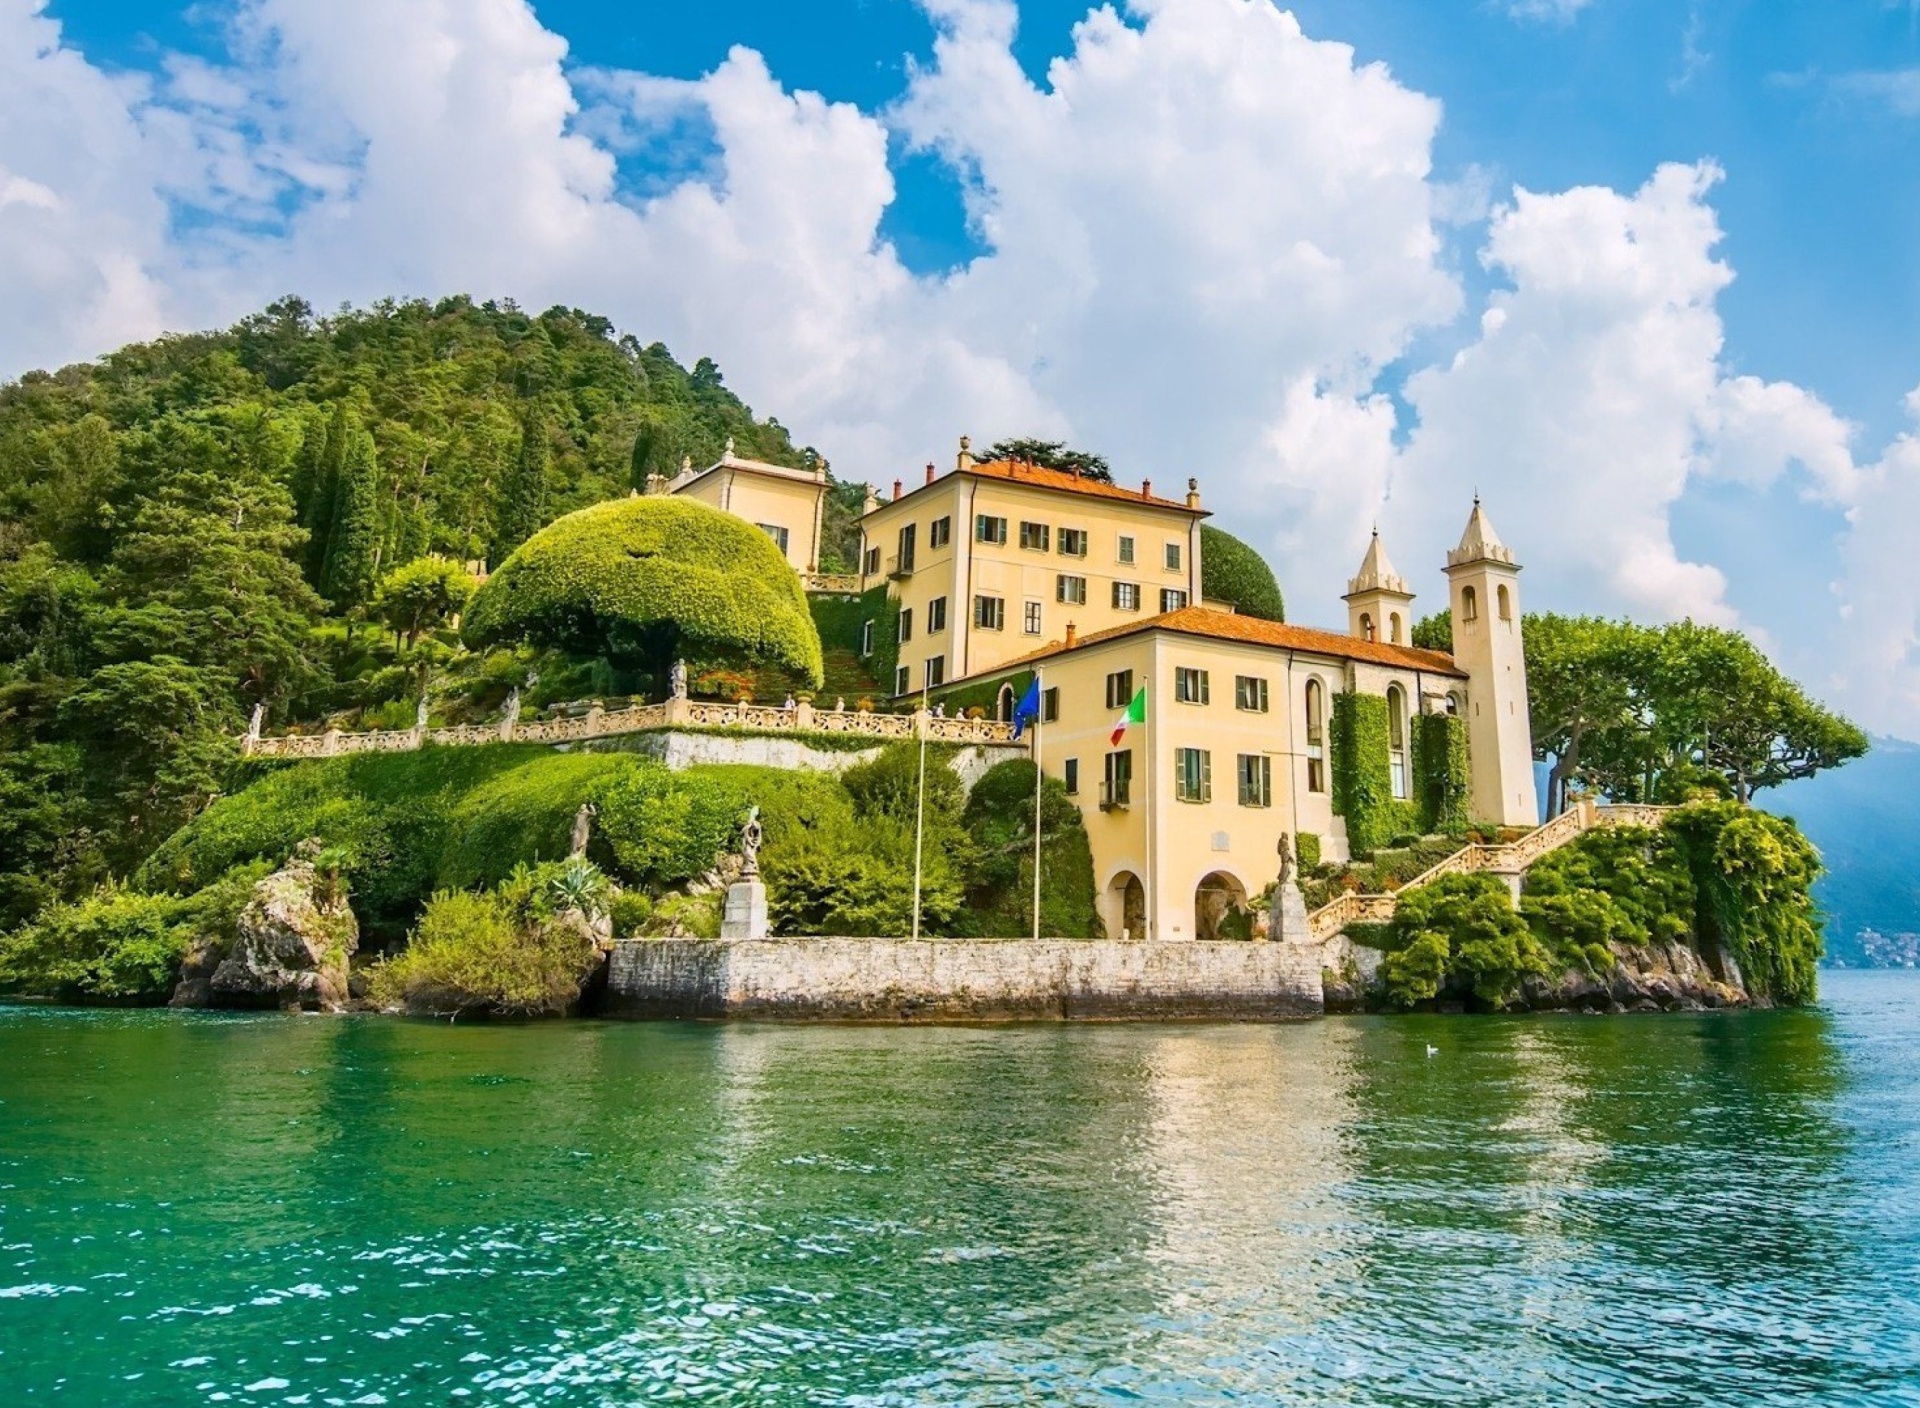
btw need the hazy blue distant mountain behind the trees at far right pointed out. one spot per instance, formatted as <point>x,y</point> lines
<point>1867,825</point>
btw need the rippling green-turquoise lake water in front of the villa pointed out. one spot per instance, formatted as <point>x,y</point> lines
<point>318,1211</point>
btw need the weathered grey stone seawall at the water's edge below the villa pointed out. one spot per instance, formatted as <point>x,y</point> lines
<point>900,981</point>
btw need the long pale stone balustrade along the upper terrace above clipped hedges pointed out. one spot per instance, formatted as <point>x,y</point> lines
<point>610,723</point>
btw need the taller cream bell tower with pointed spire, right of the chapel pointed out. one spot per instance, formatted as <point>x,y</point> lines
<point>1485,589</point>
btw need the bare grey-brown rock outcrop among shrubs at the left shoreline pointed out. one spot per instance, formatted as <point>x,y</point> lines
<point>297,938</point>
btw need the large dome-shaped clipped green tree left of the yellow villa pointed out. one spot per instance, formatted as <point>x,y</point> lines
<point>644,581</point>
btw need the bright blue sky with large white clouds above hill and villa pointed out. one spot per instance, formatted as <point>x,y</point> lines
<point>1681,385</point>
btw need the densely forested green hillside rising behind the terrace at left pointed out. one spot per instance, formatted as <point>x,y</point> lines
<point>214,522</point>
